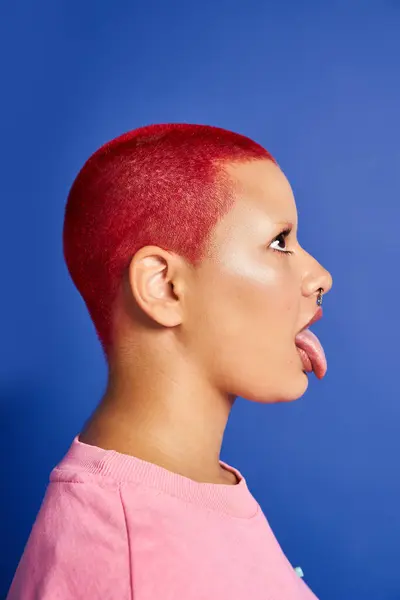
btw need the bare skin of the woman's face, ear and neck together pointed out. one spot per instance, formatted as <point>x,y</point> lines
<point>189,341</point>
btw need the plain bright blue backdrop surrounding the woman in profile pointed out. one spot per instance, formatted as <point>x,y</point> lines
<point>318,84</point>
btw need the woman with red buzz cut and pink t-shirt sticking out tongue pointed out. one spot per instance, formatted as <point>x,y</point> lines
<point>181,240</point>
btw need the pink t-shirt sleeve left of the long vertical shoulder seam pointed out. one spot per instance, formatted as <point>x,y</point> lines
<point>78,548</point>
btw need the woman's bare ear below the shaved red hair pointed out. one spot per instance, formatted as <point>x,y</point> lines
<point>156,281</point>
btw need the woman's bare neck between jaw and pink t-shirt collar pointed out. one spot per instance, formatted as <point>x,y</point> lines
<point>167,417</point>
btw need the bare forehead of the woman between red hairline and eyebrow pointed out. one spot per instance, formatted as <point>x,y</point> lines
<point>261,188</point>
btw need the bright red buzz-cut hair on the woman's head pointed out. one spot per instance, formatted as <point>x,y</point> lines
<point>158,185</point>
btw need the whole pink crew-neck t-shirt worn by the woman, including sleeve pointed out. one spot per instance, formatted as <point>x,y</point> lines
<point>114,527</point>
